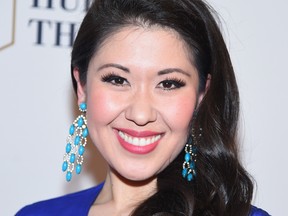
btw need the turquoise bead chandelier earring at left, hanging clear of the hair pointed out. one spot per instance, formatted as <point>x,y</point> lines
<point>76,142</point>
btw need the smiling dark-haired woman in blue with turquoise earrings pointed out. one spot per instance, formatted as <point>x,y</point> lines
<point>156,83</point>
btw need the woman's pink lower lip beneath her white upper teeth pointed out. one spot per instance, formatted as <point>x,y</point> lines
<point>137,149</point>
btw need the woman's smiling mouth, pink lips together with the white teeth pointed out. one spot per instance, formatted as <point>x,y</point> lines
<point>138,142</point>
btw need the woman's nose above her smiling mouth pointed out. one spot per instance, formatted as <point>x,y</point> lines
<point>141,110</point>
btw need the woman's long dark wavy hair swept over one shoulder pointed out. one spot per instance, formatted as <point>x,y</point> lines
<point>222,186</point>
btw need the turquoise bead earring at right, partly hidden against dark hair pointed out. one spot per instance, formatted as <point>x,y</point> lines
<point>189,164</point>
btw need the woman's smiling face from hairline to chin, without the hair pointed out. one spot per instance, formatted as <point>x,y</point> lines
<point>141,93</point>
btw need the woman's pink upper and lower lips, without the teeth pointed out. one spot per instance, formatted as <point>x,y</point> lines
<point>136,149</point>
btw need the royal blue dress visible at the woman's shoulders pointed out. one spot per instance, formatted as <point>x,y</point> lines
<point>79,204</point>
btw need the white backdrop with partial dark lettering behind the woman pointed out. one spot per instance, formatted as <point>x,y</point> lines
<point>38,105</point>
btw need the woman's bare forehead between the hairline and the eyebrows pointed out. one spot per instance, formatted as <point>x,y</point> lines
<point>144,43</point>
